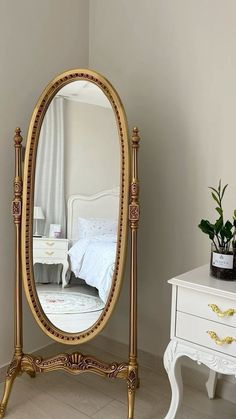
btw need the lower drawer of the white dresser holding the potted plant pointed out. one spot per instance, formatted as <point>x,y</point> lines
<point>194,329</point>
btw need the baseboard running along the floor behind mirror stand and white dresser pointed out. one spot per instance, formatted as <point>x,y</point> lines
<point>194,375</point>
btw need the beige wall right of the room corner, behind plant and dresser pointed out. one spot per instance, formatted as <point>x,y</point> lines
<point>173,64</point>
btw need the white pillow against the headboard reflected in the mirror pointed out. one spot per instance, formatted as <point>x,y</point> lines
<point>90,227</point>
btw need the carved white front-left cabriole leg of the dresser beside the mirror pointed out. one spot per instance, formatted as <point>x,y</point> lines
<point>173,368</point>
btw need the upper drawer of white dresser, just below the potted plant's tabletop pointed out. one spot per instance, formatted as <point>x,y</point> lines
<point>197,303</point>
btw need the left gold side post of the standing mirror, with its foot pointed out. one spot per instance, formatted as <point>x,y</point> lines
<point>14,368</point>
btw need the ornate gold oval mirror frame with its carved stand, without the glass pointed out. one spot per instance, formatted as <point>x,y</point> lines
<point>76,362</point>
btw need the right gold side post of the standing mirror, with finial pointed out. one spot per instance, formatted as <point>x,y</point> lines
<point>133,380</point>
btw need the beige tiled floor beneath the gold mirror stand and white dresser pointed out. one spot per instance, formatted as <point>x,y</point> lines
<point>59,395</point>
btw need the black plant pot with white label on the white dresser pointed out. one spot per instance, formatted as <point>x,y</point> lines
<point>223,265</point>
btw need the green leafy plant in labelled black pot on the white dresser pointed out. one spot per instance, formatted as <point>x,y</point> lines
<point>223,237</point>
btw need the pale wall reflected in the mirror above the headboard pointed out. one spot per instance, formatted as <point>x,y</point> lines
<point>92,155</point>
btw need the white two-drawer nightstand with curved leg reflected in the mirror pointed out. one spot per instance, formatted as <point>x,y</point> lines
<point>52,251</point>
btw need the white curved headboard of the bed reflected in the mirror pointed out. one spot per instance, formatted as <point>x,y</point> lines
<point>104,204</point>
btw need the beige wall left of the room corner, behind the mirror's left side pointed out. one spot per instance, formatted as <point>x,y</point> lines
<point>38,40</point>
